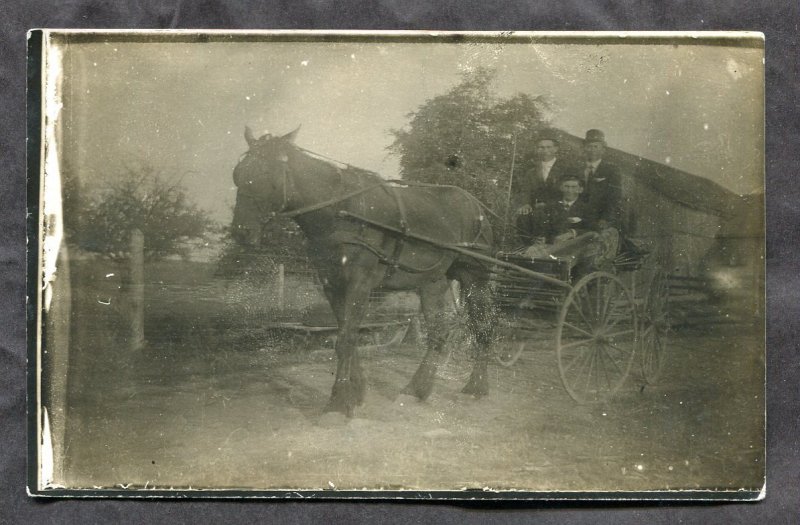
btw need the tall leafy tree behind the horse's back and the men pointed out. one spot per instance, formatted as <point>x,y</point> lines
<point>467,137</point>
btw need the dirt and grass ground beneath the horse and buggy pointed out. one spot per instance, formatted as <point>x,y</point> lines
<point>218,399</point>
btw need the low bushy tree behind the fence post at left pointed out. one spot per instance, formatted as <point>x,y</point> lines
<point>141,198</point>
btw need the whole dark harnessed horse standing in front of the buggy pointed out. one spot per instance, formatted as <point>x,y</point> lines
<point>364,233</point>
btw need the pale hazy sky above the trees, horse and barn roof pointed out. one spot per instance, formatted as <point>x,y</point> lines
<point>182,107</point>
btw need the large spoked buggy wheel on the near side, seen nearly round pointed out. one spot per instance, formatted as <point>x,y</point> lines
<point>596,337</point>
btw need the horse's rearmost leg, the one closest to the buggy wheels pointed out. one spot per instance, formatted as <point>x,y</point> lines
<point>481,320</point>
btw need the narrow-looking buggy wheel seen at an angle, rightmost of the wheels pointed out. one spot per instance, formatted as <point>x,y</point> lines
<point>655,327</point>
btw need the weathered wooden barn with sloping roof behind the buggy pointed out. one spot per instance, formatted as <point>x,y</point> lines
<point>709,239</point>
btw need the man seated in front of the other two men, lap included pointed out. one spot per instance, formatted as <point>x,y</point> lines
<point>565,229</point>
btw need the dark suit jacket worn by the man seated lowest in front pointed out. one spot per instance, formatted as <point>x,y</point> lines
<point>553,219</point>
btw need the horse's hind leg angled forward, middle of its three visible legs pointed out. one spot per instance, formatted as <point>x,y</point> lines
<point>434,309</point>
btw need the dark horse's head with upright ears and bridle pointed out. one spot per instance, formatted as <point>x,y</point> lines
<point>262,179</point>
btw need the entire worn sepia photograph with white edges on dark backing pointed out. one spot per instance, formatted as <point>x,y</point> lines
<point>398,264</point>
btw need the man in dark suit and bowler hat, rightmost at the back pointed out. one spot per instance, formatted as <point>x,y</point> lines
<point>602,183</point>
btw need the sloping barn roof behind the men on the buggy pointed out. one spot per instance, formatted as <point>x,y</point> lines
<point>695,192</point>
